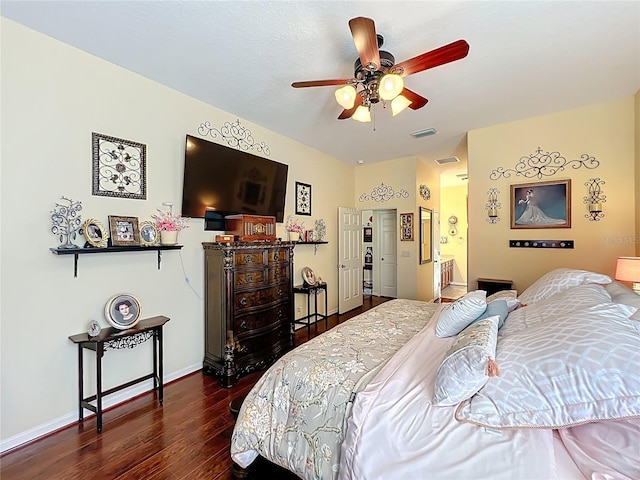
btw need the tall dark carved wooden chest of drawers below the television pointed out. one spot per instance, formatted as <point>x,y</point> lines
<point>249,311</point>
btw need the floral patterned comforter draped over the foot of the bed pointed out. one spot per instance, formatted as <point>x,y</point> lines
<point>296,414</point>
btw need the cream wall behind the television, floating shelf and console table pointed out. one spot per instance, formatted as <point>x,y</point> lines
<point>53,98</point>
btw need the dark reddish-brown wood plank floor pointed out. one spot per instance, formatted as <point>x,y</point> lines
<point>188,437</point>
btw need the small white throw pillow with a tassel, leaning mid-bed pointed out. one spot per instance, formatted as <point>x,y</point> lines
<point>468,364</point>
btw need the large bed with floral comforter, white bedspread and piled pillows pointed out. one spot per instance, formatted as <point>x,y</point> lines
<point>545,384</point>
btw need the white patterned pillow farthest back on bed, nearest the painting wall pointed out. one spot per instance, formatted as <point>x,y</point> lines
<point>557,281</point>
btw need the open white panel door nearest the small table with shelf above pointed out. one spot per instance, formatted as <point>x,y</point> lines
<point>350,258</point>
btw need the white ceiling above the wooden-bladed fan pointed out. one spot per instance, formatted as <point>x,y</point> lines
<point>525,59</point>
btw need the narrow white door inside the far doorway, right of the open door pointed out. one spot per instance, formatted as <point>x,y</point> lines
<point>388,250</point>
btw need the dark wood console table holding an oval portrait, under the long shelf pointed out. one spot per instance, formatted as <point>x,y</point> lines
<point>112,338</point>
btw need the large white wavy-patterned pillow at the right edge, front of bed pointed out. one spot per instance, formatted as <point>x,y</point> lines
<point>580,367</point>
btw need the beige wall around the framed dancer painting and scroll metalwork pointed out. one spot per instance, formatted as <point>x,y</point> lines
<point>604,131</point>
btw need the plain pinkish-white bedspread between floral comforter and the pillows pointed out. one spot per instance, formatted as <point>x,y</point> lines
<point>395,433</point>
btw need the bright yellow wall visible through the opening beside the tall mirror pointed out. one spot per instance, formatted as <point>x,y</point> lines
<point>454,202</point>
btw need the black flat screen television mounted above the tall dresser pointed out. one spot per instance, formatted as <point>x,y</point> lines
<point>220,181</point>
